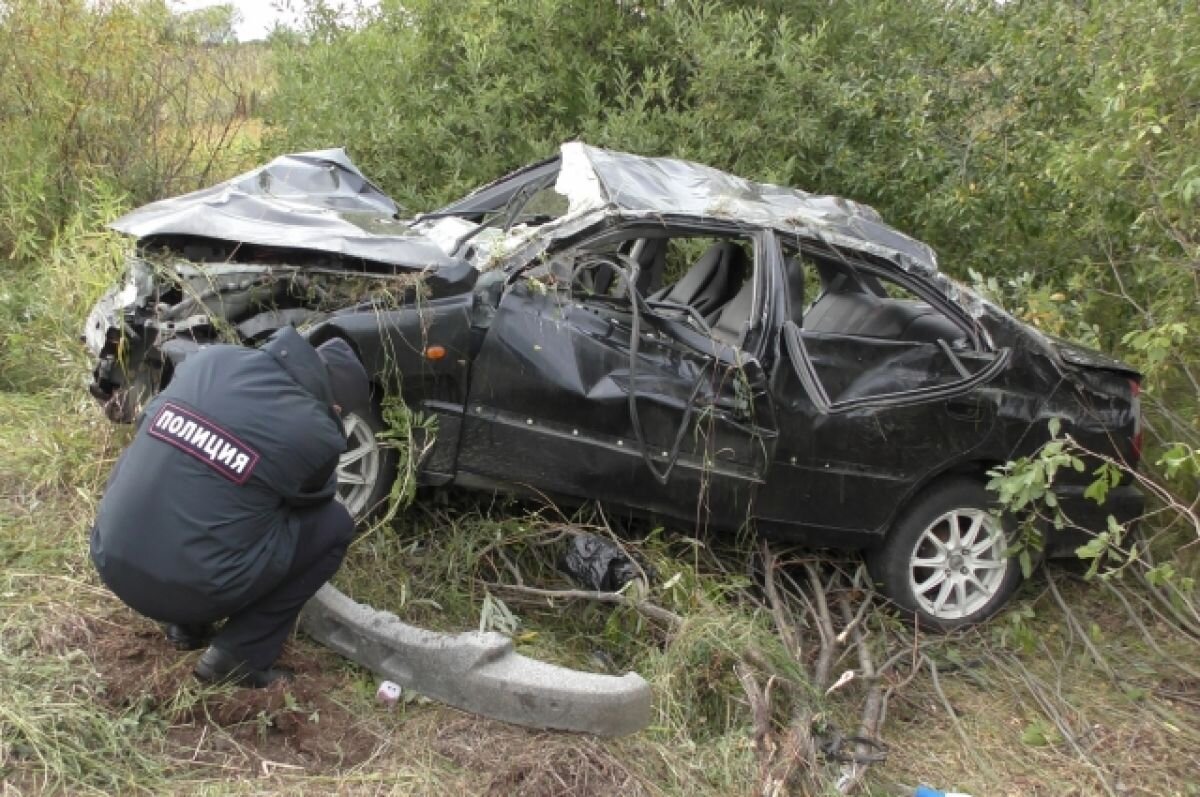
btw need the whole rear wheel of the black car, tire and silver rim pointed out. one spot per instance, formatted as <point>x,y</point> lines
<point>938,566</point>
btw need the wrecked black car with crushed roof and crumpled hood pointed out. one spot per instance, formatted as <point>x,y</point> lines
<point>647,333</point>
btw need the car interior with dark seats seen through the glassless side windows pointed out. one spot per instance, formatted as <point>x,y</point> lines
<point>901,338</point>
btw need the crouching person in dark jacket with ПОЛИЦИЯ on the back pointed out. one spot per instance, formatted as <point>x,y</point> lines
<point>223,507</point>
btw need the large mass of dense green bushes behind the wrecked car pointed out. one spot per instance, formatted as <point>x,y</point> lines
<point>1049,148</point>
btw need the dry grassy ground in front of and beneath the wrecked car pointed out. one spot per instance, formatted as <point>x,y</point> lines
<point>93,700</point>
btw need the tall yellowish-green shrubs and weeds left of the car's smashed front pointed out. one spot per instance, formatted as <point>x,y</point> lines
<point>103,106</point>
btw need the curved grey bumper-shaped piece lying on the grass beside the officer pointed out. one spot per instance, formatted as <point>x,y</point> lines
<point>478,673</point>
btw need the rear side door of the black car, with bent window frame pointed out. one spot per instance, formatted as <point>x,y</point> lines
<point>873,394</point>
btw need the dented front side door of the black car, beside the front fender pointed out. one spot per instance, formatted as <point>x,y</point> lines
<point>550,405</point>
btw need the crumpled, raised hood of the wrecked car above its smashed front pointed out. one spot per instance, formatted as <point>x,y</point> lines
<point>309,201</point>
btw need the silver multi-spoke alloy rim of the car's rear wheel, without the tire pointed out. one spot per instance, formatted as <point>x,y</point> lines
<point>958,564</point>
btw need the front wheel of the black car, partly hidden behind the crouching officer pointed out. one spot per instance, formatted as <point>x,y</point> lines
<point>368,469</point>
